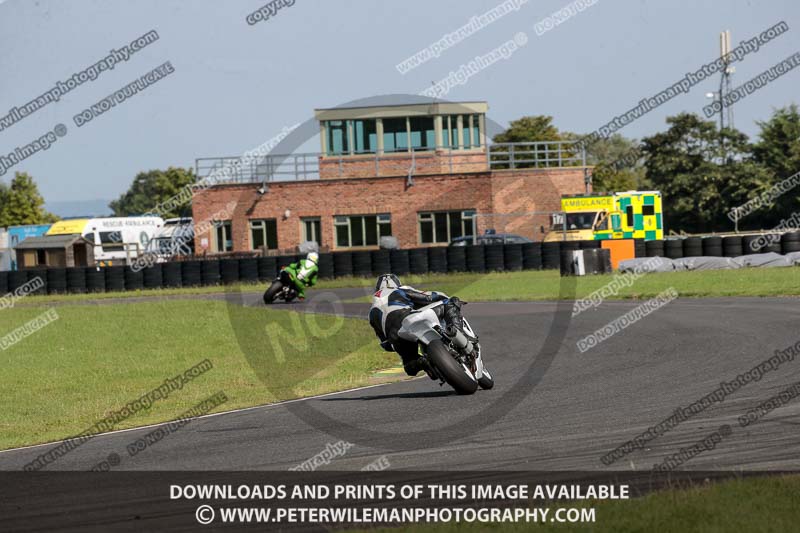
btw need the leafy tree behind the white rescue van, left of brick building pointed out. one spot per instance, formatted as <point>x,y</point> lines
<point>152,188</point>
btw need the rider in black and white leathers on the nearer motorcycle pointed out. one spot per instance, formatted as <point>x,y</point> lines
<point>392,303</point>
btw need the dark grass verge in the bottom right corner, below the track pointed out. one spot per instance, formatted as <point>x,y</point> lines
<point>751,504</point>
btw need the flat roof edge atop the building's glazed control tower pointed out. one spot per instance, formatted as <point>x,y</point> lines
<point>429,108</point>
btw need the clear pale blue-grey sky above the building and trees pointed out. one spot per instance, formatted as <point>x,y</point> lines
<point>236,85</point>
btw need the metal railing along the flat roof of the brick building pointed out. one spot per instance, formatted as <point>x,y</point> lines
<point>307,166</point>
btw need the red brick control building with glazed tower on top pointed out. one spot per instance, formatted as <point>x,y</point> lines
<point>422,173</point>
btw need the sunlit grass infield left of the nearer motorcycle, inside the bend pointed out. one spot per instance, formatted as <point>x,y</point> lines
<point>95,359</point>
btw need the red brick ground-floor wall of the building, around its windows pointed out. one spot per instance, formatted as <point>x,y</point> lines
<point>505,191</point>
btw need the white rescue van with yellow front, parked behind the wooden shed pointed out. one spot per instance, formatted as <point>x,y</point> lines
<point>117,240</point>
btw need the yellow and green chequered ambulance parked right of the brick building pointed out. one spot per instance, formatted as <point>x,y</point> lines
<point>621,215</point>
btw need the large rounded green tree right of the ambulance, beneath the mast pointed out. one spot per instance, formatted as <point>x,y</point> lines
<point>699,184</point>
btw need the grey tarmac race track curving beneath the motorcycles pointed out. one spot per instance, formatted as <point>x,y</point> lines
<point>585,405</point>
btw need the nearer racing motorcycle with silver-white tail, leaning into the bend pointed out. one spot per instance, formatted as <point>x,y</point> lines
<point>453,356</point>
